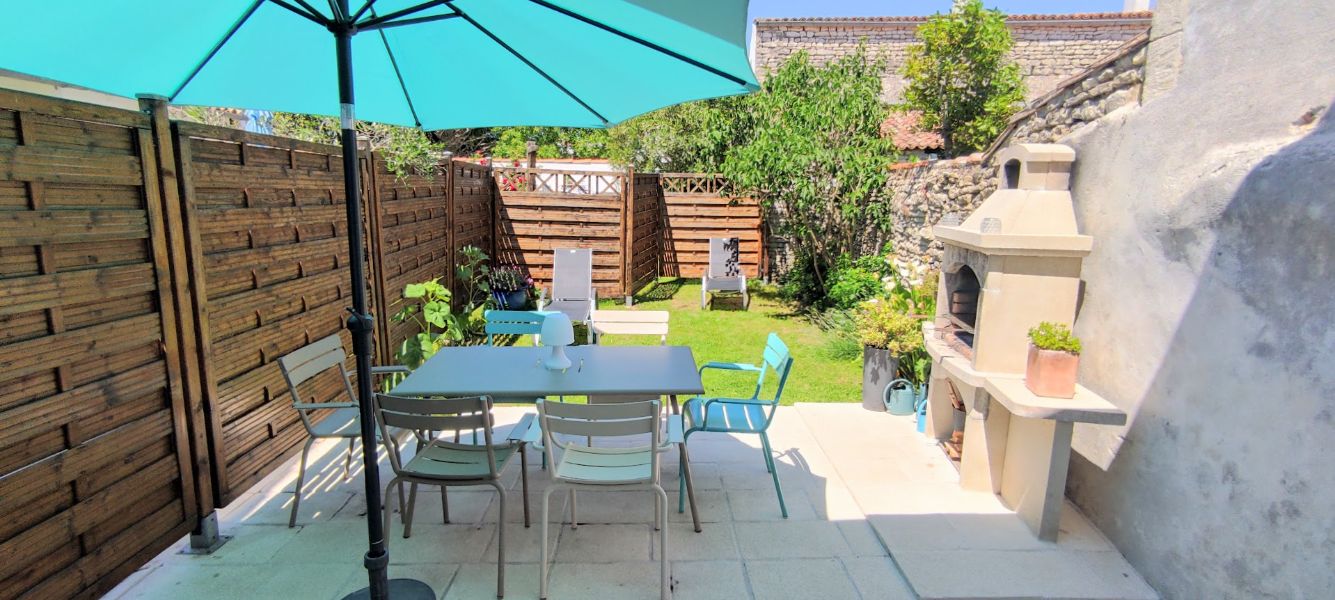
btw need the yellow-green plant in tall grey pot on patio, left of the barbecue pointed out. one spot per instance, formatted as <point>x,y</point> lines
<point>891,341</point>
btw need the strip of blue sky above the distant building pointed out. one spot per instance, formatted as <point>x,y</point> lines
<point>770,9</point>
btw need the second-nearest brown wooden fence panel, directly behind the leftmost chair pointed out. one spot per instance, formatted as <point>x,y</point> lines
<point>269,260</point>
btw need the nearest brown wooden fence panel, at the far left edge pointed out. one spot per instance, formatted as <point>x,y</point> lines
<point>95,468</point>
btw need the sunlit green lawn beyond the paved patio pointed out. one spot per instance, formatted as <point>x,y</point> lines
<point>738,336</point>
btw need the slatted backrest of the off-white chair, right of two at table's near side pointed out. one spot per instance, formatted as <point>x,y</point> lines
<point>600,420</point>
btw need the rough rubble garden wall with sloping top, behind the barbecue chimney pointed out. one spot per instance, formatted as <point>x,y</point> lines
<point>923,193</point>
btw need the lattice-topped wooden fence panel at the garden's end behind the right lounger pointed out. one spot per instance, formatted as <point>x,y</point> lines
<point>699,208</point>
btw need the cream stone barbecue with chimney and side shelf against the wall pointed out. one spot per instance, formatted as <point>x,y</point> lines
<point>1011,265</point>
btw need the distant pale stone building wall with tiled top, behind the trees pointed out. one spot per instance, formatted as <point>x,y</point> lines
<point>1049,49</point>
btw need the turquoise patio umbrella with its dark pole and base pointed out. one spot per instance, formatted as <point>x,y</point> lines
<point>433,65</point>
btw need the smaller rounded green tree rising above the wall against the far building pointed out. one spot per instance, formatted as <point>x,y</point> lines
<point>962,78</point>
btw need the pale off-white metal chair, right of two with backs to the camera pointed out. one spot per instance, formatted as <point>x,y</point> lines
<point>604,468</point>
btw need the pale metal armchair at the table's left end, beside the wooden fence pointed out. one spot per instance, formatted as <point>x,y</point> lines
<point>342,420</point>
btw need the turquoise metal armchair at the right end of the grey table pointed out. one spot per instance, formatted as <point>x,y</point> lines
<point>743,415</point>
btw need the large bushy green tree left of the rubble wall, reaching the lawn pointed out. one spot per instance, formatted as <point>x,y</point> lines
<point>815,152</point>
